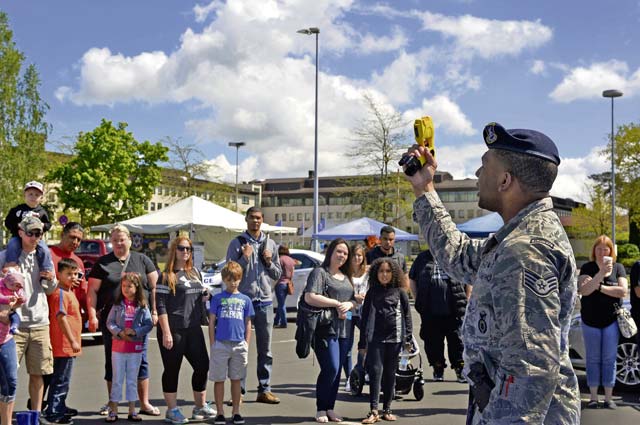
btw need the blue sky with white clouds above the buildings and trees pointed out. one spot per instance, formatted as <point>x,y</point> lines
<point>211,73</point>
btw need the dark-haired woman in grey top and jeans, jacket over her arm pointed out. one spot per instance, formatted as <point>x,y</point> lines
<point>330,287</point>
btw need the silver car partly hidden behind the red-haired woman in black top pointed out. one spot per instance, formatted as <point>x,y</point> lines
<point>627,363</point>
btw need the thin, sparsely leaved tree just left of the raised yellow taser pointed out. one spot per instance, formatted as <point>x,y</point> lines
<point>379,139</point>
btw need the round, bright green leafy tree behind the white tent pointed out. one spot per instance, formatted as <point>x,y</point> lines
<point>111,176</point>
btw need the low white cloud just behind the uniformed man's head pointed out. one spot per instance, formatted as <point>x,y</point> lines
<point>573,174</point>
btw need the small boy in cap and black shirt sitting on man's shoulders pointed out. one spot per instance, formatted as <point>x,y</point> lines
<point>33,195</point>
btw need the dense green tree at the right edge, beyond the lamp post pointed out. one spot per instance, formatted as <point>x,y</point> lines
<point>627,160</point>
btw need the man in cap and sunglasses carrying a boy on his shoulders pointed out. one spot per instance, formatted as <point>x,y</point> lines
<point>32,340</point>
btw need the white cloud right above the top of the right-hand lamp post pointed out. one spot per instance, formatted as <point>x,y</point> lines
<point>590,82</point>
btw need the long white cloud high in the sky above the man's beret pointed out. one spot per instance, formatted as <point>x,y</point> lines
<point>487,38</point>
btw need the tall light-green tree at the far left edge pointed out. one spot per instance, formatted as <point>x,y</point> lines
<point>23,129</point>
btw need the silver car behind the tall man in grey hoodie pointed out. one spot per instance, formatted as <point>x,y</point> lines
<point>305,262</point>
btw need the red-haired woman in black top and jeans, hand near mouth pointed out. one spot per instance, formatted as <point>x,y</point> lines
<point>602,284</point>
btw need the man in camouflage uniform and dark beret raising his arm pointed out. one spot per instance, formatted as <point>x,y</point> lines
<point>516,328</point>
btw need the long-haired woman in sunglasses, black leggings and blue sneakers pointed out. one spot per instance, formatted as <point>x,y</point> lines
<point>180,312</point>
